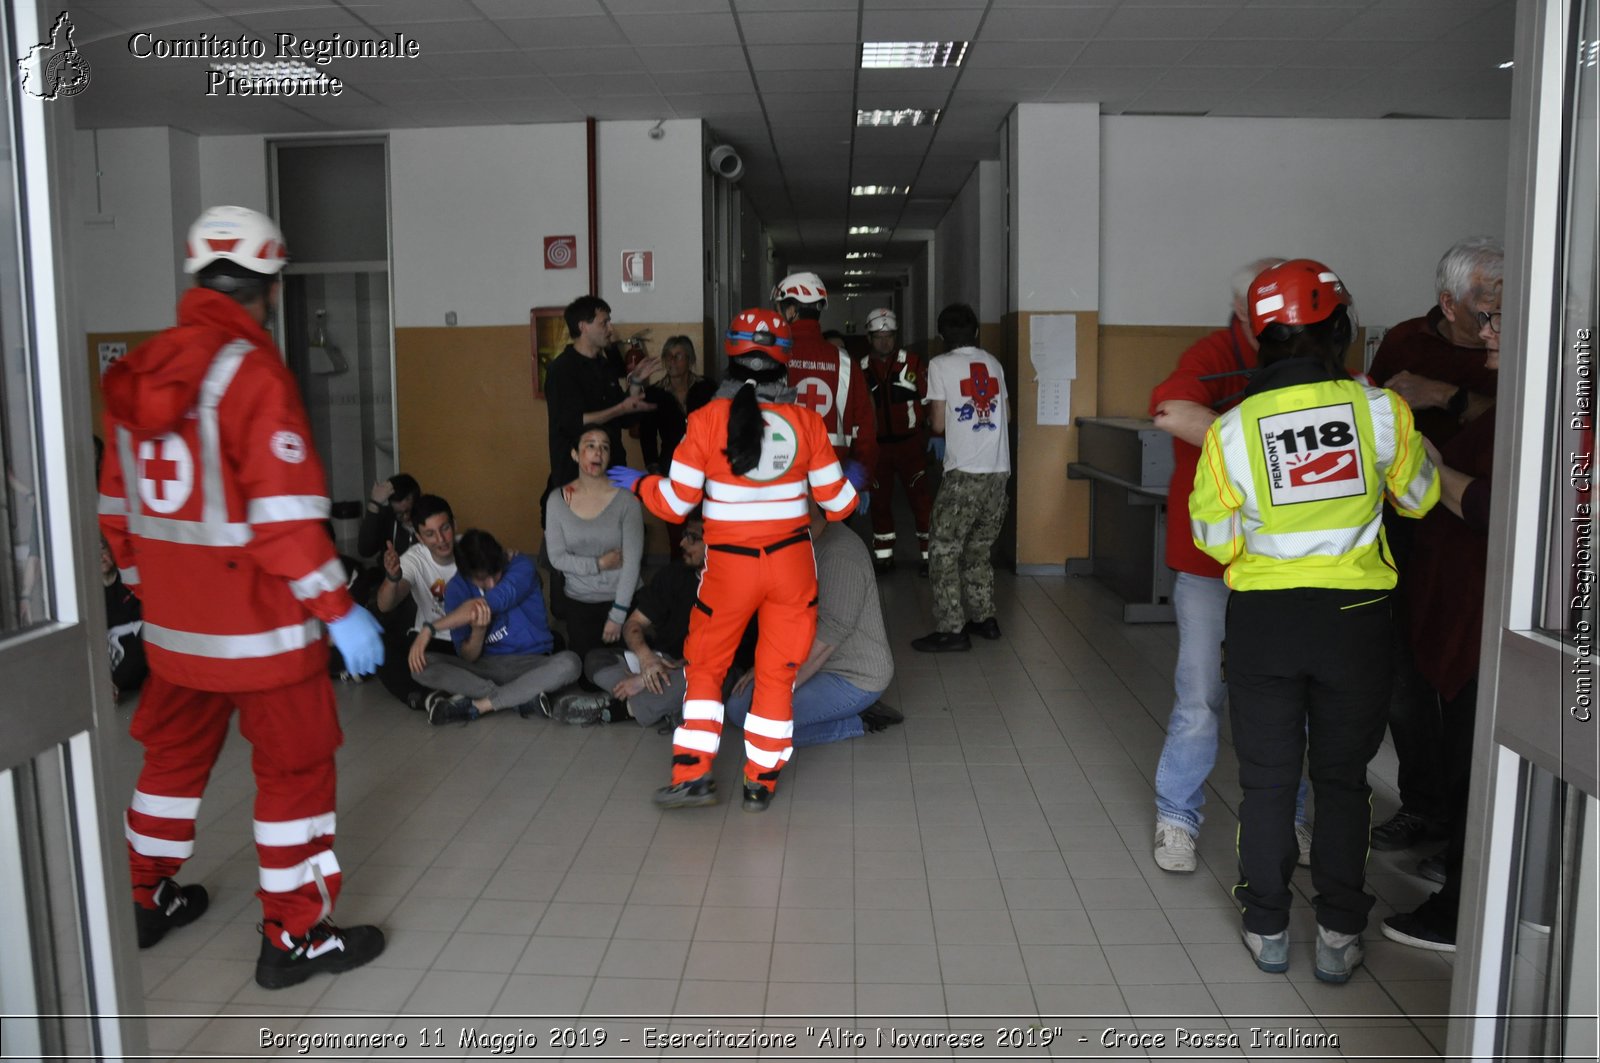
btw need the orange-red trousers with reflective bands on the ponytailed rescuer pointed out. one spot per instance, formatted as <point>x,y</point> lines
<point>780,590</point>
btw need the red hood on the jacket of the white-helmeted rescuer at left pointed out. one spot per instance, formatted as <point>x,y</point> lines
<point>156,387</point>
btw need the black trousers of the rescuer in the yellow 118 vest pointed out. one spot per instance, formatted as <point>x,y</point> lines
<point>1314,667</point>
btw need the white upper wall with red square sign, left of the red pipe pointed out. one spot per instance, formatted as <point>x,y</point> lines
<point>470,211</point>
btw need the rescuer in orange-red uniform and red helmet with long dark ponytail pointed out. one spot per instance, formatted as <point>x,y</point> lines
<point>751,459</point>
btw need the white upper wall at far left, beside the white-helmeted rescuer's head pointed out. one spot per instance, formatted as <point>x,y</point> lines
<point>129,246</point>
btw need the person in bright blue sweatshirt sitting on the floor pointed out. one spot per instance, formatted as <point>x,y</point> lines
<point>495,616</point>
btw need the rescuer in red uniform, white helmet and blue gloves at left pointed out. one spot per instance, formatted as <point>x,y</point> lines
<point>214,503</point>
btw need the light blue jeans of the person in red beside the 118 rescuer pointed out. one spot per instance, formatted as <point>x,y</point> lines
<point>1190,752</point>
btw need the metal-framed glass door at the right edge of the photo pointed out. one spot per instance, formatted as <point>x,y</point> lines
<point>1526,974</point>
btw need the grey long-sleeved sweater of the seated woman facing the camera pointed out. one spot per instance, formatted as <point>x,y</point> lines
<point>575,547</point>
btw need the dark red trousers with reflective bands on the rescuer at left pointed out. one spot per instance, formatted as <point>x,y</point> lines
<point>294,732</point>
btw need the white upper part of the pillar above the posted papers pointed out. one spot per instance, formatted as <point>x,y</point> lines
<point>1055,207</point>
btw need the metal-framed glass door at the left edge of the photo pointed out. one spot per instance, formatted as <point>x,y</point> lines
<point>66,968</point>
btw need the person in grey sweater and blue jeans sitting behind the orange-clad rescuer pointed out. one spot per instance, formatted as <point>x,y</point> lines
<point>850,665</point>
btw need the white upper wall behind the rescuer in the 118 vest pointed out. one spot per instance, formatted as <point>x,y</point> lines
<point>1188,201</point>
